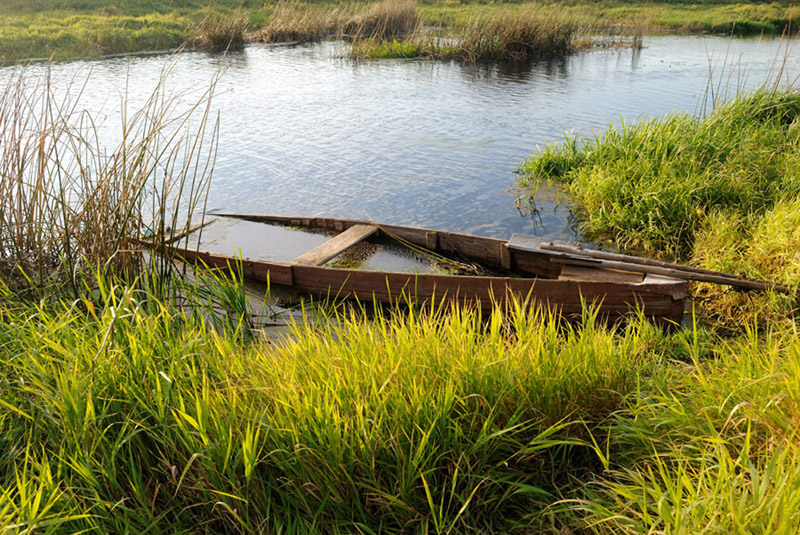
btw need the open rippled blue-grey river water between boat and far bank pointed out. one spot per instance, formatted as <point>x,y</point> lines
<point>433,144</point>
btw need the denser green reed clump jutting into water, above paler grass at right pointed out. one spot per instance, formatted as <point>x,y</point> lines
<point>651,184</point>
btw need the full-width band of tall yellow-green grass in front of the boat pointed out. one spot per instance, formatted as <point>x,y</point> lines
<point>120,418</point>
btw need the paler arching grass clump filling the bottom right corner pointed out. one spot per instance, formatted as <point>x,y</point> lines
<point>709,446</point>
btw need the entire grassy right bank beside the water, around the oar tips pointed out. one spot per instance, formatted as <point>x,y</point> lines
<point>720,192</point>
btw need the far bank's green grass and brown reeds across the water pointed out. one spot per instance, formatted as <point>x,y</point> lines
<point>70,28</point>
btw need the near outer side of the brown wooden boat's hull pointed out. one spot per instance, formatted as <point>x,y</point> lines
<point>662,300</point>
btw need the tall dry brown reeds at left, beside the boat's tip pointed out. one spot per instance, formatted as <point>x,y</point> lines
<point>71,207</point>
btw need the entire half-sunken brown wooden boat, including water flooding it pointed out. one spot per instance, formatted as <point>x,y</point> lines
<point>364,260</point>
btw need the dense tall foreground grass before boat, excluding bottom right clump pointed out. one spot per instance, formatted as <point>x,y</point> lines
<point>132,418</point>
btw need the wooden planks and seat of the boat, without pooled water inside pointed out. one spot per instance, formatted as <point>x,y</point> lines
<point>489,270</point>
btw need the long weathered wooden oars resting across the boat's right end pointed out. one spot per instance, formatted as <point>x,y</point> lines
<point>646,265</point>
